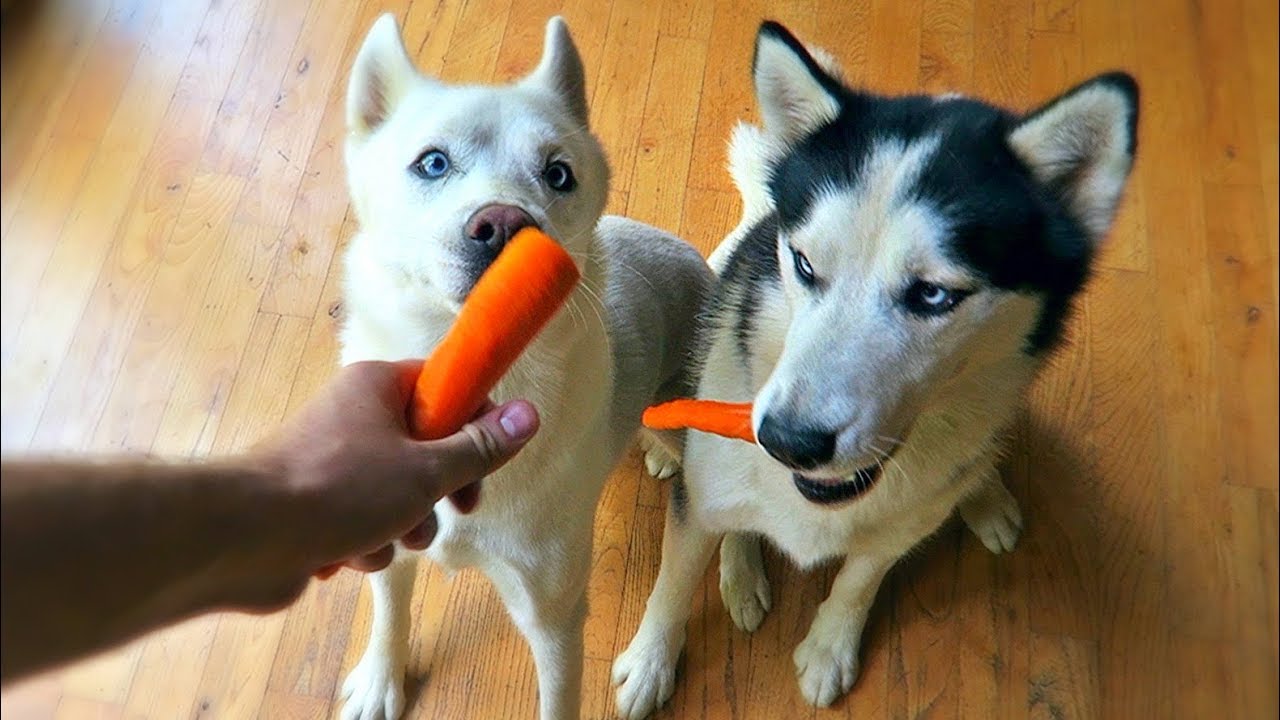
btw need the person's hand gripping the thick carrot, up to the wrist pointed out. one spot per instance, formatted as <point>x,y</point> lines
<point>358,481</point>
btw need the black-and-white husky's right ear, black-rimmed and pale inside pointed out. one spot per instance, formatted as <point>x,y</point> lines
<point>1081,147</point>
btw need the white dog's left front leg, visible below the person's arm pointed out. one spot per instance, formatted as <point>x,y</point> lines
<point>376,687</point>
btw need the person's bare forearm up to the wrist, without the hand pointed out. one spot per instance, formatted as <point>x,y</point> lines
<point>95,554</point>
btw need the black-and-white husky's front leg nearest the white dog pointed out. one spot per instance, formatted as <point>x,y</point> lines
<point>646,673</point>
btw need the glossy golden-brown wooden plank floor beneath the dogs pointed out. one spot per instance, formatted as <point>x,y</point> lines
<point>173,206</point>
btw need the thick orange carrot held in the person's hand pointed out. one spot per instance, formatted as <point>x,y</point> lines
<point>510,304</point>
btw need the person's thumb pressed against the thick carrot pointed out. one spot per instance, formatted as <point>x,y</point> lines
<point>481,448</point>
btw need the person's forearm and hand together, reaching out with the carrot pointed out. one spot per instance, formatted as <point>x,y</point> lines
<point>95,554</point>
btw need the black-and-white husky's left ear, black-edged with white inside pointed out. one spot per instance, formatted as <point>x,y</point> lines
<point>797,95</point>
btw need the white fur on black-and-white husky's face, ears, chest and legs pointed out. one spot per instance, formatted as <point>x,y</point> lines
<point>943,389</point>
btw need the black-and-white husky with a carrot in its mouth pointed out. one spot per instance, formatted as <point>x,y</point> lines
<point>902,271</point>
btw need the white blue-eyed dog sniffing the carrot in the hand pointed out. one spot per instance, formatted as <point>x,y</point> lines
<point>441,177</point>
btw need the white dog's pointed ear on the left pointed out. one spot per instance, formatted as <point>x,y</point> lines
<point>380,79</point>
